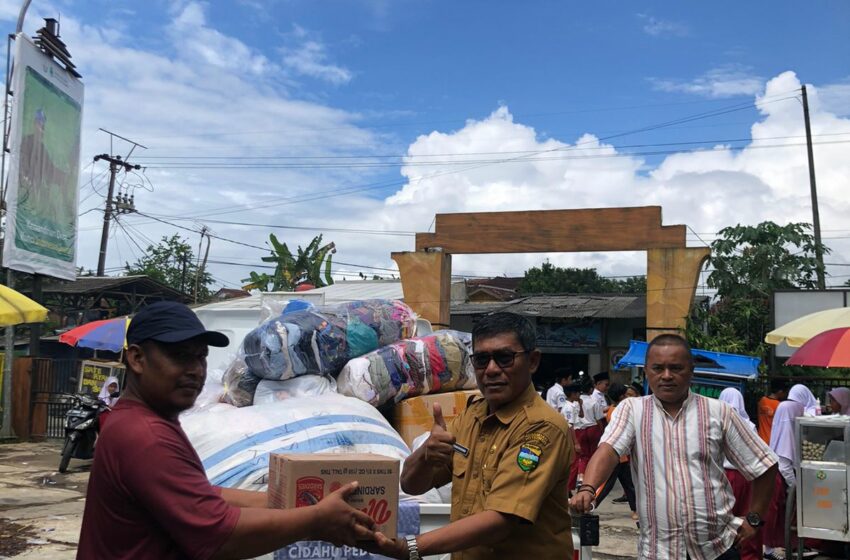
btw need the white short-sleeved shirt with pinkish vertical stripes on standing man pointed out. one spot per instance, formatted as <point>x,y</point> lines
<point>685,500</point>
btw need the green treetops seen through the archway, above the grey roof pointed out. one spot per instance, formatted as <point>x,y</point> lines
<point>550,279</point>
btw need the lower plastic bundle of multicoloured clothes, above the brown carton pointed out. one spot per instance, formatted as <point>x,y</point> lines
<point>436,363</point>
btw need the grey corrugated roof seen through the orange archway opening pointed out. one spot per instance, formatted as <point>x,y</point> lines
<point>563,306</point>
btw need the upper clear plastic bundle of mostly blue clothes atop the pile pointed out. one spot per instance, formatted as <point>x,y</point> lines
<point>320,342</point>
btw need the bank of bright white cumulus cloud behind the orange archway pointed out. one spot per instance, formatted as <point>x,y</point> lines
<point>706,189</point>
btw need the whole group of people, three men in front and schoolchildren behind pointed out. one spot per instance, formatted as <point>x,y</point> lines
<point>702,480</point>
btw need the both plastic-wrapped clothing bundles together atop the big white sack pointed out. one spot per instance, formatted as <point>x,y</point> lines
<point>368,346</point>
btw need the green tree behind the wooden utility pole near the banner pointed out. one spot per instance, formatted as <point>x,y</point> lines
<point>173,263</point>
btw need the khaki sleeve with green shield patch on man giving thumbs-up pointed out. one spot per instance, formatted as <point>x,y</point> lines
<point>520,492</point>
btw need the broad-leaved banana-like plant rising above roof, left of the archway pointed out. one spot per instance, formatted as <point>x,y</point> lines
<point>309,266</point>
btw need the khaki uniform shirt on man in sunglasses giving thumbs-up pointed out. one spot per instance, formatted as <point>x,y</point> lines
<point>518,463</point>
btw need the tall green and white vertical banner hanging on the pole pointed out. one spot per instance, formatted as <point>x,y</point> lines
<point>42,195</point>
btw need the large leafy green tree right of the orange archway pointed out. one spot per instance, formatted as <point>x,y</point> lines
<point>748,264</point>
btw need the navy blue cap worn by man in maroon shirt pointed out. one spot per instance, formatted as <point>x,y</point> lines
<point>169,322</point>
